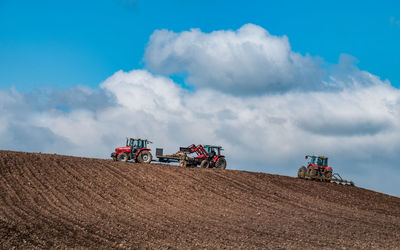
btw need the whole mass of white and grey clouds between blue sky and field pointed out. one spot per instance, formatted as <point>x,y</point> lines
<point>357,125</point>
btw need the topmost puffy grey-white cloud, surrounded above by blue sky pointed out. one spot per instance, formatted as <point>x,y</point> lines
<point>247,61</point>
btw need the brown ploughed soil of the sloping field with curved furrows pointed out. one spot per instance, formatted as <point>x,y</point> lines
<point>50,201</point>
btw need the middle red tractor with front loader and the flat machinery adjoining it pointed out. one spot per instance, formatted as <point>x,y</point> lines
<point>207,156</point>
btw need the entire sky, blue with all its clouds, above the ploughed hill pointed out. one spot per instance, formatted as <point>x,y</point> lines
<point>270,81</point>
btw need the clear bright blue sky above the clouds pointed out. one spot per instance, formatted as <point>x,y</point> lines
<point>65,43</point>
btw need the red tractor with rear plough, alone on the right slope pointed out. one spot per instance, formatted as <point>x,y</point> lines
<point>318,169</point>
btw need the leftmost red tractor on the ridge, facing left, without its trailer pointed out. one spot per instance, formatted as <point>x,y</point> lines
<point>136,150</point>
